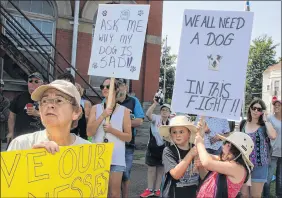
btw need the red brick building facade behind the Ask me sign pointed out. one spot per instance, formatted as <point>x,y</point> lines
<point>55,20</point>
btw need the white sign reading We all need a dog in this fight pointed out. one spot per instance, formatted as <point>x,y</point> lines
<point>212,63</point>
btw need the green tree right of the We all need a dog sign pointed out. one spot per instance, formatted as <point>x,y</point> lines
<point>262,54</point>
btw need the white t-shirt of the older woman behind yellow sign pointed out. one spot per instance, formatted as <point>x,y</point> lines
<point>25,142</point>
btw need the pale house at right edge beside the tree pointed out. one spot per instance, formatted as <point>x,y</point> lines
<point>271,85</point>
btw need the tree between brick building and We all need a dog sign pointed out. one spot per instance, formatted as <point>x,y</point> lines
<point>170,71</point>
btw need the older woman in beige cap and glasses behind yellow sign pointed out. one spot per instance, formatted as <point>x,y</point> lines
<point>59,107</point>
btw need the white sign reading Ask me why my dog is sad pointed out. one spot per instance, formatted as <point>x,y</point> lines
<point>118,41</point>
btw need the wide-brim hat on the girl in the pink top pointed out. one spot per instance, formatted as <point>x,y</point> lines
<point>243,142</point>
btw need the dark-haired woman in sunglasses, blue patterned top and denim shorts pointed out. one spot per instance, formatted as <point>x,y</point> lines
<point>261,131</point>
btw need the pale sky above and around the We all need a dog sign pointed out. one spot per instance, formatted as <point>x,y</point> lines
<point>267,18</point>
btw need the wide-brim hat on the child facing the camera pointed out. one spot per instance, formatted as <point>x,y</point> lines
<point>177,121</point>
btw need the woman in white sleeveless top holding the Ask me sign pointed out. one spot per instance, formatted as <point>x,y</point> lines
<point>117,132</point>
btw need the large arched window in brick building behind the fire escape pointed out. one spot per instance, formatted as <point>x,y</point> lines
<point>41,13</point>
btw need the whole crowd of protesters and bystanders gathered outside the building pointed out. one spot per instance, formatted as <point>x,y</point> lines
<point>185,158</point>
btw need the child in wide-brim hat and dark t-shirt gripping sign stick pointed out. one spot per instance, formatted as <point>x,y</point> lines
<point>180,179</point>
